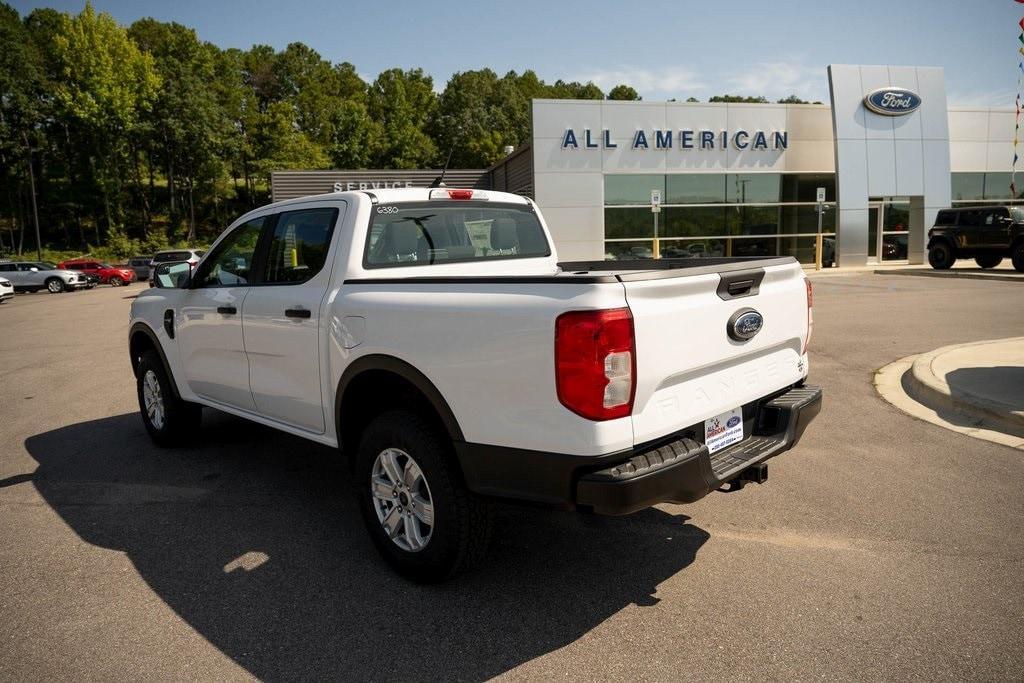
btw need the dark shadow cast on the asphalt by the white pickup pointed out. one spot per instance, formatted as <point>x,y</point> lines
<point>253,538</point>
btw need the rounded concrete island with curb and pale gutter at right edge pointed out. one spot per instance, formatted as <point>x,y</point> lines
<point>975,389</point>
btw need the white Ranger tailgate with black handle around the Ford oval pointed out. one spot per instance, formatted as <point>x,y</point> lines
<point>689,367</point>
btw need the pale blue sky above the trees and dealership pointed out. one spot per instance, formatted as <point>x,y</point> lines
<point>665,50</point>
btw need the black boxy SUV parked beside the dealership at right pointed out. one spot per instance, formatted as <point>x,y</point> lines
<point>987,234</point>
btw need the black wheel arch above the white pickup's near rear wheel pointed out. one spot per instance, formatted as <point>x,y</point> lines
<point>363,392</point>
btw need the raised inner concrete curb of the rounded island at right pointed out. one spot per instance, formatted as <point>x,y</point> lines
<point>926,388</point>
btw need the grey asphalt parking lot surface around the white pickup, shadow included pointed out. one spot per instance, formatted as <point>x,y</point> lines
<point>881,547</point>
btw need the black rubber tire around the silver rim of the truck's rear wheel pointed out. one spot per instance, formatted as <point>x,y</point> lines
<point>461,530</point>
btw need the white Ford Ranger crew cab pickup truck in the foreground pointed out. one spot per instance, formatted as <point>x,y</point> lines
<point>434,335</point>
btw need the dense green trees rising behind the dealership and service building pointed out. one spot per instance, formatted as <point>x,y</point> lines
<point>146,138</point>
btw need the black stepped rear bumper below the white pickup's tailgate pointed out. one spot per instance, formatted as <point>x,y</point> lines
<point>684,472</point>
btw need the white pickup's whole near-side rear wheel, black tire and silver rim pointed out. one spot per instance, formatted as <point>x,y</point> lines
<point>421,518</point>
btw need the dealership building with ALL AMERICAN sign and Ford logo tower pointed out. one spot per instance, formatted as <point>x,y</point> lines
<point>629,180</point>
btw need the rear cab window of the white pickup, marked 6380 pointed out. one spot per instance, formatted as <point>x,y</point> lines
<point>435,233</point>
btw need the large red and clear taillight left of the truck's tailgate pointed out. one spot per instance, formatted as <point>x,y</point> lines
<point>595,363</point>
